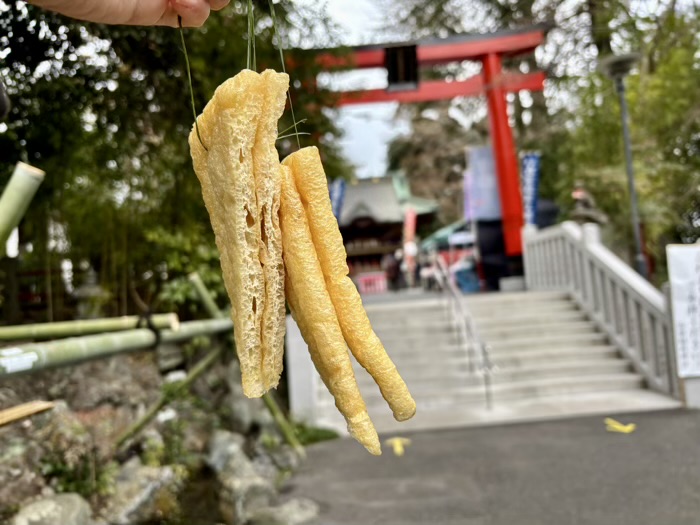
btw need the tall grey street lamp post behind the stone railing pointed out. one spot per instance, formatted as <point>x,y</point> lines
<point>617,67</point>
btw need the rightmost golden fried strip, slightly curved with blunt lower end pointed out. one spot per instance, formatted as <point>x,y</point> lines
<point>364,344</point>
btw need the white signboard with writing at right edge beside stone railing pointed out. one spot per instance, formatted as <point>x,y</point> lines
<point>684,275</point>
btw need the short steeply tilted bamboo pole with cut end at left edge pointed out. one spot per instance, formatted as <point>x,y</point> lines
<point>16,197</point>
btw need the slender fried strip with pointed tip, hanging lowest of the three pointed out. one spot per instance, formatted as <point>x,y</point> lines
<point>314,312</point>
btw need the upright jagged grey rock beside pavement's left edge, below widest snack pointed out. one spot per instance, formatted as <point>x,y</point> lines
<point>243,491</point>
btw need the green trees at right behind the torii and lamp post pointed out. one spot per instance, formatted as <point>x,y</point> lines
<point>576,122</point>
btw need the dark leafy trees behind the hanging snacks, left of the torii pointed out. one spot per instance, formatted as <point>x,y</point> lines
<point>104,110</point>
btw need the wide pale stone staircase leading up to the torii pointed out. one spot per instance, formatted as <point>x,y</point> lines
<point>549,361</point>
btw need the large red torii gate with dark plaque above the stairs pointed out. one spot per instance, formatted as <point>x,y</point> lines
<point>489,49</point>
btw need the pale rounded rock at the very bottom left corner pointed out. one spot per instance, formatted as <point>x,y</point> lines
<point>64,509</point>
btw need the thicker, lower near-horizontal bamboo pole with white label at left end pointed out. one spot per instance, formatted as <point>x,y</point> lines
<point>28,358</point>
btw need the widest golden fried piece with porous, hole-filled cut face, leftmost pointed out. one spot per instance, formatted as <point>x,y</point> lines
<point>229,127</point>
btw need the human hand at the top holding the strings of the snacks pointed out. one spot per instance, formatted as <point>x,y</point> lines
<point>136,12</point>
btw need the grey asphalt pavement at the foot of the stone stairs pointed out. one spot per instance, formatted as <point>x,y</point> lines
<point>570,472</point>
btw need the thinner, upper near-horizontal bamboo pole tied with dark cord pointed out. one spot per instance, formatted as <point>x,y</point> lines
<point>83,327</point>
